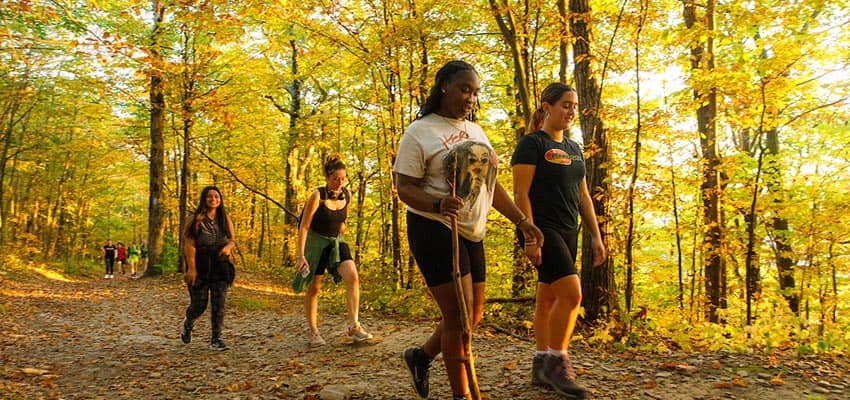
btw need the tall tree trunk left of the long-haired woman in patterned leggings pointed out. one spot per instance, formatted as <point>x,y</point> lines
<point>156,208</point>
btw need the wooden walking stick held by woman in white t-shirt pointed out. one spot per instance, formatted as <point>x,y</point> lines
<point>468,361</point>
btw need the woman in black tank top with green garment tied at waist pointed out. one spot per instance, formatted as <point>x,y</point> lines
<point>322,248</point>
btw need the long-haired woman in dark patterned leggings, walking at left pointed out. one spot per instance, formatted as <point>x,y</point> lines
<point>208,241</point>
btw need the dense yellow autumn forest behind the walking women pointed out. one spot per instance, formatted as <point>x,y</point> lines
<point>716,134</point>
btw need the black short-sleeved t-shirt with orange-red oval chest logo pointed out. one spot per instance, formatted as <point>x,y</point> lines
<point>559,169</point>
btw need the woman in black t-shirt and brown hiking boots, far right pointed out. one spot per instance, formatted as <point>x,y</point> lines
<point>550,188</point>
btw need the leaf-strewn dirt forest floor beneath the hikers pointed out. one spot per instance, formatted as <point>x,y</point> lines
<point>90,338</point>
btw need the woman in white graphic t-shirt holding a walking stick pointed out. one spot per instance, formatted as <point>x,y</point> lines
<point>442,146</point>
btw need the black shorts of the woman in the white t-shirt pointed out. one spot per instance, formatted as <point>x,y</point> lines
<point>431,244</point>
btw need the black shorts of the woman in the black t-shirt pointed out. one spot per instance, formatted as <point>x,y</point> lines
<point>559,255</point>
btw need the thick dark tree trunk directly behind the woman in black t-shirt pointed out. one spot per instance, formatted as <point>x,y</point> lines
<point>597,283</point>
